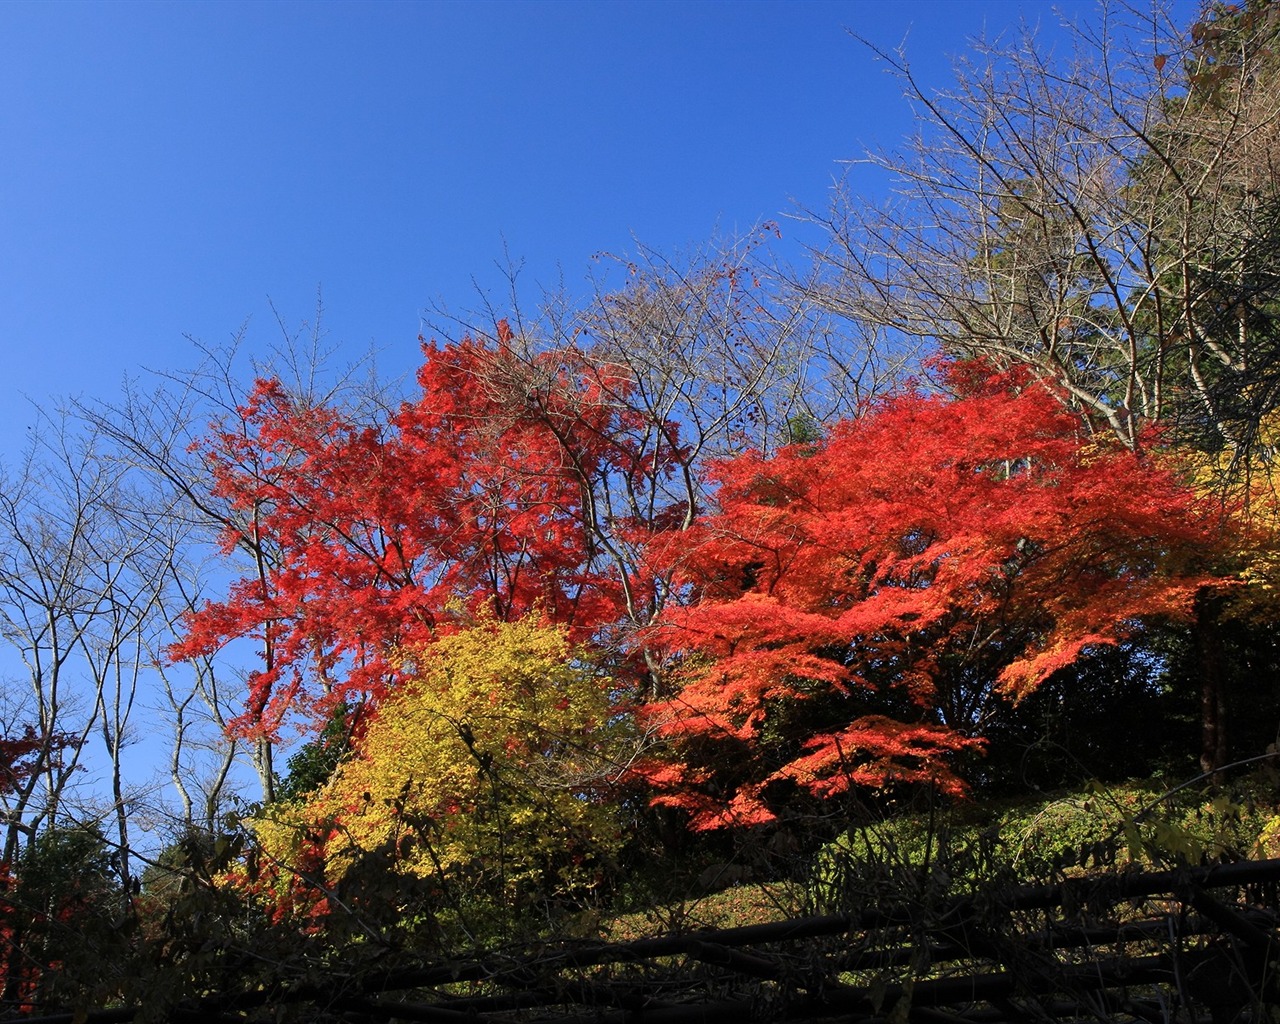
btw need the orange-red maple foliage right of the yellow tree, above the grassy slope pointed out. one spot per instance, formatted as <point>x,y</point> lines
<point>863,604</point>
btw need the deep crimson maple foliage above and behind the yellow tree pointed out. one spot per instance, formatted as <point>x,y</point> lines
<point>486,492</point>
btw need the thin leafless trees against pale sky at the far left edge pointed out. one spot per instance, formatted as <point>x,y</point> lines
<point>80,584</point>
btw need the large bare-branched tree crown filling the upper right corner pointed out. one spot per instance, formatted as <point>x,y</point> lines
<point>1107,216</point>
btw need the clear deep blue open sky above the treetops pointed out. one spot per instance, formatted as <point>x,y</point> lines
<point>168,168</point>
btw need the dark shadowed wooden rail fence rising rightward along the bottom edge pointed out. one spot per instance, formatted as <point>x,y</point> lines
<point>1190,947</point>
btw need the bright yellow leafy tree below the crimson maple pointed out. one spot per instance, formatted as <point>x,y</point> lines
<point>488,767</point>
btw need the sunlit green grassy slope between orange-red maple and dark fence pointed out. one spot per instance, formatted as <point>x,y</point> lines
<point>1090,829</point>
